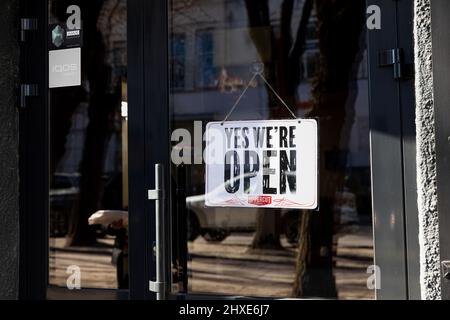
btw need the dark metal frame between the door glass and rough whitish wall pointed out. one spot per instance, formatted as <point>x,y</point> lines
<point>392,133</point>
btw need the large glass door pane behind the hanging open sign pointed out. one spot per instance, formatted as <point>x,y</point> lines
<point>314,60</point>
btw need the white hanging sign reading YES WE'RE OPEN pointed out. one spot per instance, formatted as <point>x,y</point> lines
<point>270,164</point>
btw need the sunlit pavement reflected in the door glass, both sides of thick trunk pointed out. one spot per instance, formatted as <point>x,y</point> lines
<point>231,268</point>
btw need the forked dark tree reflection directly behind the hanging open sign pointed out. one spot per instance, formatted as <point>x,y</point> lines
<point>281,57</point>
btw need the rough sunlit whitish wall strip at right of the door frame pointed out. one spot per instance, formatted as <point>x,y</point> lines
<point>426,155</point>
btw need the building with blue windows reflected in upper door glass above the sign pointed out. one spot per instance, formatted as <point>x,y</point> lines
<point>211,45</point>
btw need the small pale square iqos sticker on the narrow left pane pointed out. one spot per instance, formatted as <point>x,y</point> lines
<point>64,68</point>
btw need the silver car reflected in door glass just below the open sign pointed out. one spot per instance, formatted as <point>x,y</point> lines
<point>215,224</point>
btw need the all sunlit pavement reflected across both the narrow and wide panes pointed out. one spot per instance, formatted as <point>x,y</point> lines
<point>230,267</point>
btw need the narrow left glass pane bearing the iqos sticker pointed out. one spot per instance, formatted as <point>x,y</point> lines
<point>88,147</point>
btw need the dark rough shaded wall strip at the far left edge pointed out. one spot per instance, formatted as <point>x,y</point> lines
<point>9,173</point>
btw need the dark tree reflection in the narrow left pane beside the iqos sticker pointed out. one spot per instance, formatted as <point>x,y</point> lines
<point>101,92</point>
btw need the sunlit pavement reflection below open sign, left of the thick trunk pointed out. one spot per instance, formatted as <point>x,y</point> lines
<point>230,268</point>
